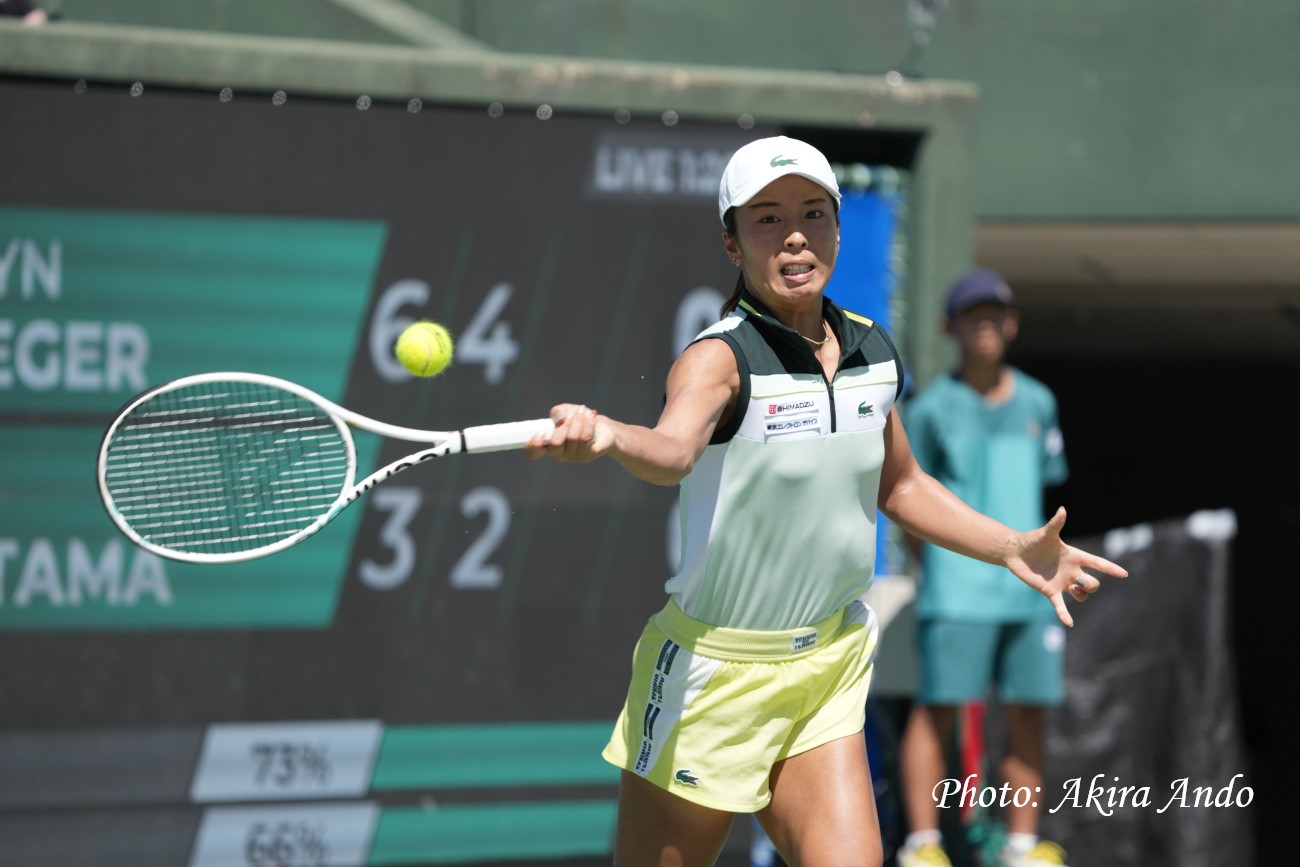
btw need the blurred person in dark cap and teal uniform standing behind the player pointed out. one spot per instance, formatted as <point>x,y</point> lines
<point>990,433</point>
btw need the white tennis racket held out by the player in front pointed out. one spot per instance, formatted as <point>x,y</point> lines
<point>227,467</point>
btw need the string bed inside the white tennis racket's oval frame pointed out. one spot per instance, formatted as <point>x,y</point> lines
<point>226,467</point>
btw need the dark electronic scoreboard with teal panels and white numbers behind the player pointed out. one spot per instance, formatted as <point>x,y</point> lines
<point>431,679</point>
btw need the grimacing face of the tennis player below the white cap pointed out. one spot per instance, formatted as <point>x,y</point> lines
<point>787,239</point>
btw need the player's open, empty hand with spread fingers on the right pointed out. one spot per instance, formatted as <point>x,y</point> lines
<point>1054,569</point>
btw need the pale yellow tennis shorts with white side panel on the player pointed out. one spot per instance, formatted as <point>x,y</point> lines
<point>712,710</point>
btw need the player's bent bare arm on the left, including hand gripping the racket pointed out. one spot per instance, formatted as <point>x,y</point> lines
<point>701,389</point>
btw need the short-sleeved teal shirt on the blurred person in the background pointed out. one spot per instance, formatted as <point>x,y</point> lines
<point>998,459</point>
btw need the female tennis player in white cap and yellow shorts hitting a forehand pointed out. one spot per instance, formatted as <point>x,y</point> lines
<point>749,688</point>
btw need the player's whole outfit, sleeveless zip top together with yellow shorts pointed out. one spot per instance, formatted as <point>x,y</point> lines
<point>765,649</point>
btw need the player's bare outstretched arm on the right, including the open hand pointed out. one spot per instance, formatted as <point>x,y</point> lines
<point>926,509</point>
